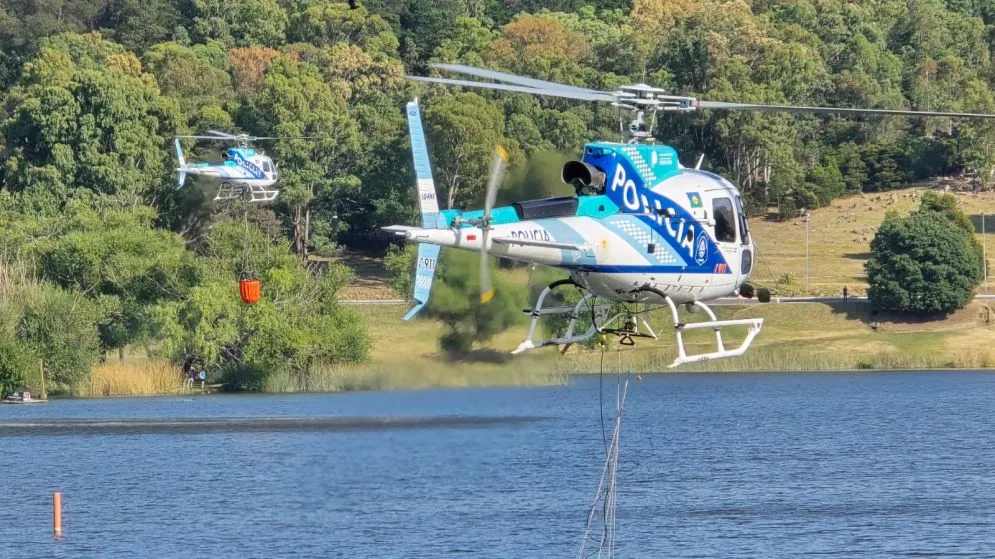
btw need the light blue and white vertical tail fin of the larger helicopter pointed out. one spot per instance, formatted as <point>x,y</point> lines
<point>428,255</point>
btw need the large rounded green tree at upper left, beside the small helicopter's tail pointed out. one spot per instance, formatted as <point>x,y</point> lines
<point>70,126</point>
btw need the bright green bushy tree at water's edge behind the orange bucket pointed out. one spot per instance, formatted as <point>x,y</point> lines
<point>296,325</point>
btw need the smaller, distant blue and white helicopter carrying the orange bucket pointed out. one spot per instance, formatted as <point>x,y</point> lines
<point>244,172</point>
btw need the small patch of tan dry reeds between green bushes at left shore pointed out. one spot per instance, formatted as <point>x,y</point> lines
<point>133,378</point>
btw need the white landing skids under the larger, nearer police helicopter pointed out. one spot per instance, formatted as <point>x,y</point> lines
<point>625,326</point>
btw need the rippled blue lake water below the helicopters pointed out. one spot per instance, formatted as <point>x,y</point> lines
<point>744,465</point>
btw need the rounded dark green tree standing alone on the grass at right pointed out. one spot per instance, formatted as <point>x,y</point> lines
<point>925,263</point>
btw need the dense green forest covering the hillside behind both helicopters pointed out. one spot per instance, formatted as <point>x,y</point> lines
<point>101,251</point>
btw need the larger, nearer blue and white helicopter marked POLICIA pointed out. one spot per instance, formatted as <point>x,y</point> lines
<point>641,229</point>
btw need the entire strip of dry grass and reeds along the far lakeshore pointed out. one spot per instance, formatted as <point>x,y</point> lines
<point>800,337</point>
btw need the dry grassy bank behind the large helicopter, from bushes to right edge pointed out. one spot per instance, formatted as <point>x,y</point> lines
<point>796,337</point>
